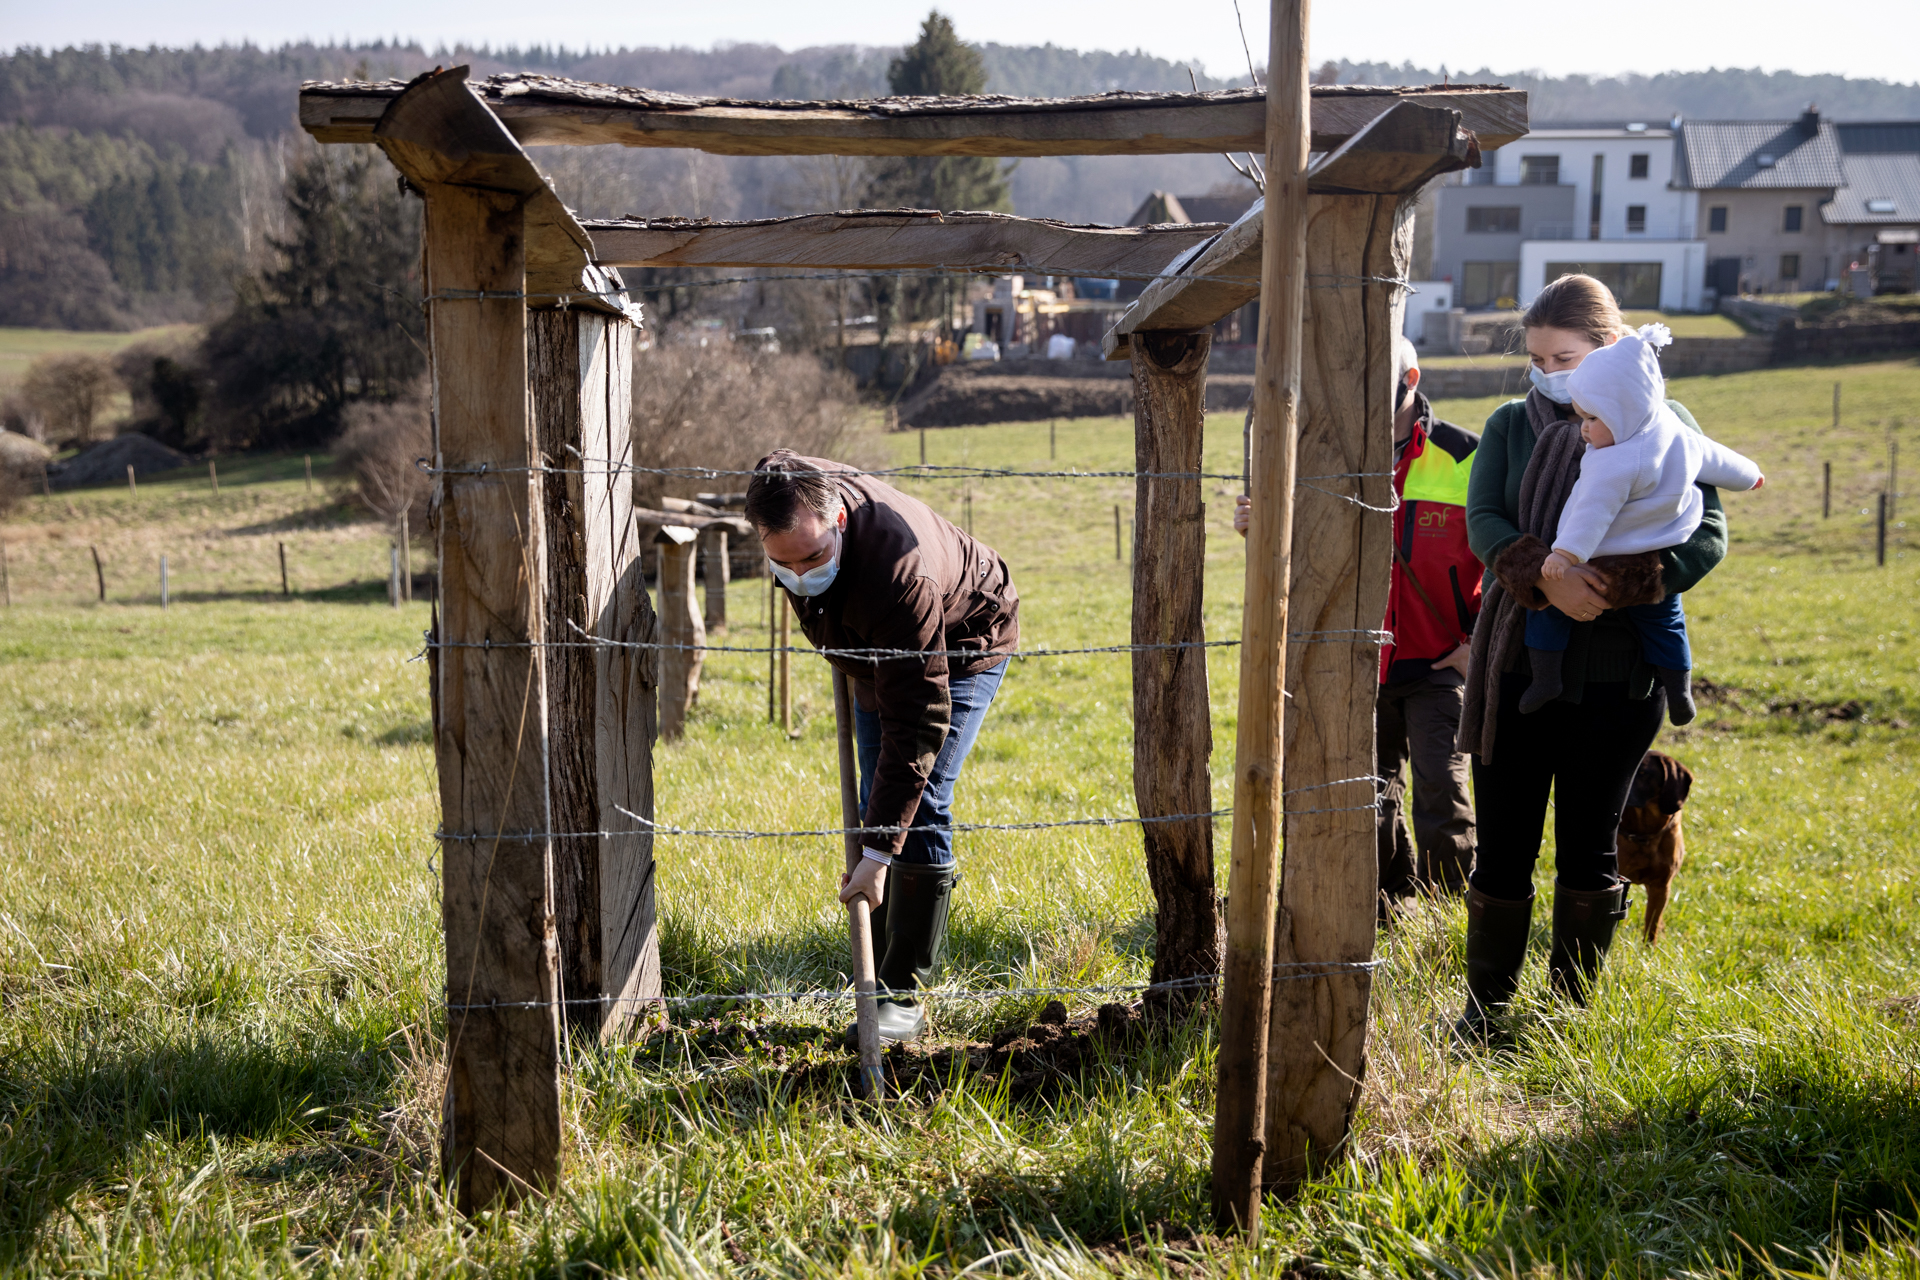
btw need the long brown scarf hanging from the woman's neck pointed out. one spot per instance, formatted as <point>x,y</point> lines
<point>1497,638</point>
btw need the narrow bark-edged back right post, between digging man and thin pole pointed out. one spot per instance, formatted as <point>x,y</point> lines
<point>1172,730</point>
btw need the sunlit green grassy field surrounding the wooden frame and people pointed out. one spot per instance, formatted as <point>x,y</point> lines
<point>220,934</point>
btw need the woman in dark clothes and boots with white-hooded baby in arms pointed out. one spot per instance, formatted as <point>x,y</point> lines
<point>1595,508</point>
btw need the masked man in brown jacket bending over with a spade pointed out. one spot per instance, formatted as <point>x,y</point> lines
<point>869,567</point>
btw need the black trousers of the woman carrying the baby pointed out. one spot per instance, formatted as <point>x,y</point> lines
<point>1587,757</point>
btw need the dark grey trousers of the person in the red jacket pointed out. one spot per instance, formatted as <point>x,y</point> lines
<point>1416,724</point>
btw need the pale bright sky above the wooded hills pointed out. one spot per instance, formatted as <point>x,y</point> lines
<point>1861,39</point>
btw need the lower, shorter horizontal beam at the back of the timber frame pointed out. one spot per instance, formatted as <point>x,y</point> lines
<point>898,241</point>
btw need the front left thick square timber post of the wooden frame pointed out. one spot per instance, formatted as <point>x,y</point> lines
<point>502,1120</point>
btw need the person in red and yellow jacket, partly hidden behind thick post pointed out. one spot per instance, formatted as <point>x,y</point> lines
<point>1431,609</point>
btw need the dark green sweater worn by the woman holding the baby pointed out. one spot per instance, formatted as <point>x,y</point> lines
<point>1608,650</point>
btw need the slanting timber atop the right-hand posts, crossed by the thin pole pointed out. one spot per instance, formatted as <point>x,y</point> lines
<point>1397,154</point>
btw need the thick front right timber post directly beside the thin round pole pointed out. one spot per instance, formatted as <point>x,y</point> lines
<point>1343,559</point>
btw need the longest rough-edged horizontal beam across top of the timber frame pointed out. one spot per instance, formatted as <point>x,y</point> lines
<point>546,110</point>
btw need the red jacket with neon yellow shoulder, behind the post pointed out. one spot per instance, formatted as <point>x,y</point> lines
<point>1437,581</point>
